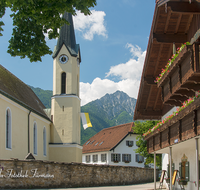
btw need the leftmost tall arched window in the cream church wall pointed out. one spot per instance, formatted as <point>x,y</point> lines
<point>8,129</point>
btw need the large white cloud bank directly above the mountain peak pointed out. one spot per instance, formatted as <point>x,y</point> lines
<point>129,73</point>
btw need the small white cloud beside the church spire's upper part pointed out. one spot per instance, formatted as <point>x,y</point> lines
<point>91,24</point>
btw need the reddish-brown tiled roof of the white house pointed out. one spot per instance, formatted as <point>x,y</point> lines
<point>107,139</point>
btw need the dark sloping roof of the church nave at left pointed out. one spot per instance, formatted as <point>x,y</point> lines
<point>16,90</point>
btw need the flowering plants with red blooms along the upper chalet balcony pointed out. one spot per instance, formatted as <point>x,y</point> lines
<point>170,61</point>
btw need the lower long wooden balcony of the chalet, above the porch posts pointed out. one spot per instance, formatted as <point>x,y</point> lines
<point>182,127</point>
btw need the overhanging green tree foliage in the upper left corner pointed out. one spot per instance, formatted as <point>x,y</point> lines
<point>34,18</point>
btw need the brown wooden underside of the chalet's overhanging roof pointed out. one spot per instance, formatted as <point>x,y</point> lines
<point>172,23</point>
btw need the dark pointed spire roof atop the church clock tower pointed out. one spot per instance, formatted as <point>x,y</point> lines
<point>67,37</point>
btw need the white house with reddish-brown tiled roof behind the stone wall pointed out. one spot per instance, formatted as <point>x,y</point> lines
<point>113,146</point>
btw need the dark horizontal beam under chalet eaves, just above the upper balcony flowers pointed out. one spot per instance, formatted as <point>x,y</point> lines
<point>170,38</point>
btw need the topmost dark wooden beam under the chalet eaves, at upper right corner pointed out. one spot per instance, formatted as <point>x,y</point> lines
<point>184,7</point>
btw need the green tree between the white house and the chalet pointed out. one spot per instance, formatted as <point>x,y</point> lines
<point>140,128</point>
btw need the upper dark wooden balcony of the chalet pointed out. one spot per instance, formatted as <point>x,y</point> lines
<point>183,77</point>
